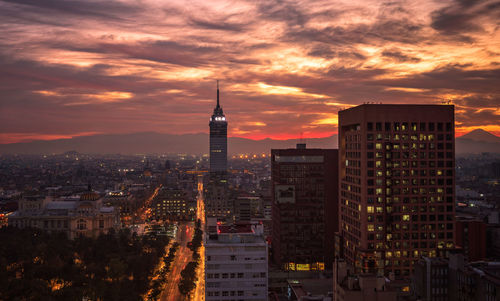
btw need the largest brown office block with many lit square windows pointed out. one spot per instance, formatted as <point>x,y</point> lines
<point>397,185</point>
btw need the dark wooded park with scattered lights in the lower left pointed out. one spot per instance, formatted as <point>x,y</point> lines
<point>35,265</point>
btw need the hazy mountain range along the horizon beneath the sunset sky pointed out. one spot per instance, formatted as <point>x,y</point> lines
<point>477,141</point>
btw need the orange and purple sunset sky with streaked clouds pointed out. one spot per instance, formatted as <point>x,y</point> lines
<point>73,68</point>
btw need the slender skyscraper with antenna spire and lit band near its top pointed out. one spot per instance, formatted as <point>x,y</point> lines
<point>218,140</point>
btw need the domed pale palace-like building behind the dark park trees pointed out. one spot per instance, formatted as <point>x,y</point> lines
<point>85,217</point>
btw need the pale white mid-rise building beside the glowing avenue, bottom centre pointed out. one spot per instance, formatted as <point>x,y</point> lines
<point>235,262</point>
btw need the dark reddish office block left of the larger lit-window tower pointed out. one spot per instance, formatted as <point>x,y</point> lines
<point>305,207</point>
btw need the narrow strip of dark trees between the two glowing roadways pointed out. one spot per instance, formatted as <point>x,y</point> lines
<point>188,275</point>
